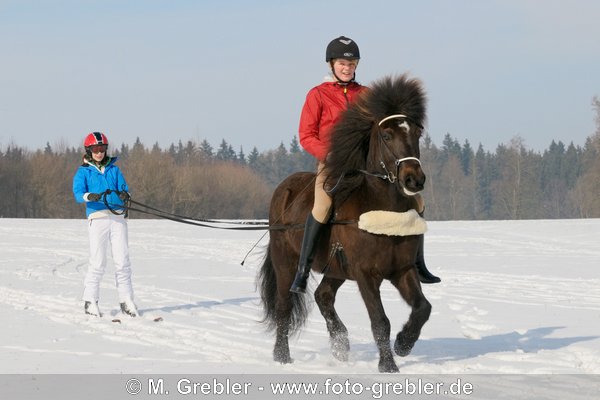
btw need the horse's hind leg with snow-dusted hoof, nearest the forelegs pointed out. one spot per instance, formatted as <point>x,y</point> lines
<point>338,334</point>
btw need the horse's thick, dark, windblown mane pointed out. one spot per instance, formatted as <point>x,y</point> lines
<point>352,134</point>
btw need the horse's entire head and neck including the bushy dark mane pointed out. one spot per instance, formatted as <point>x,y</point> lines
<point>379,136</point>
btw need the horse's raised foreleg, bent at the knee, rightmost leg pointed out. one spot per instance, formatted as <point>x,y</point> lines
<point>410,289</point>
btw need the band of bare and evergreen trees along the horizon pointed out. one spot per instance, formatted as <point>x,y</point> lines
<point>197,180</point>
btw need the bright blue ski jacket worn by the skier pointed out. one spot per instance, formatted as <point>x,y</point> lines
<point>92,179</point>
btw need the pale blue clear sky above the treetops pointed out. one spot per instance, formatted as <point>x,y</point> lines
<point>165,70</point>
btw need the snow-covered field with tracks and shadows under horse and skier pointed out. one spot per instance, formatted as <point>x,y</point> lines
<point>517,297</point>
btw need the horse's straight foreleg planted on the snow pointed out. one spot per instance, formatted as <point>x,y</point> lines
<point>380,324</point>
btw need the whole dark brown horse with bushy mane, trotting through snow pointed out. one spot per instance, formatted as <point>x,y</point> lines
<point>373,166</point>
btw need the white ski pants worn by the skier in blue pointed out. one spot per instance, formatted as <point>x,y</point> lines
<point>104,232</point>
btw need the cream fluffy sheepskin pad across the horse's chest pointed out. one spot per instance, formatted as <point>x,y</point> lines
<point>393,223</point>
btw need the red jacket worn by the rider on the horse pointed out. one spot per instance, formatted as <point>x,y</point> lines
<point>322,109</point>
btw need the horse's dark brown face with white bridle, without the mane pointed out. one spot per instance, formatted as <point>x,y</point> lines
<point>395,151</point>
